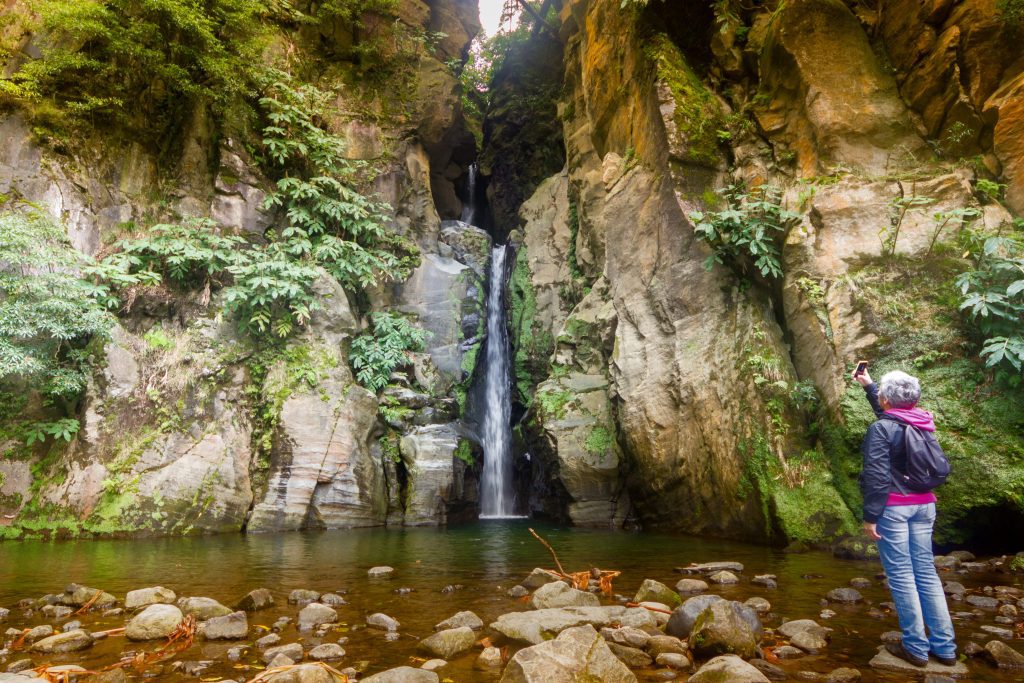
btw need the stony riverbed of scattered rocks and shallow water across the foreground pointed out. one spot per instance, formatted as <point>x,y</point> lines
<point>718,621</point>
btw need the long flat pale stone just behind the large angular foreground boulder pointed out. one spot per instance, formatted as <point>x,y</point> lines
<point>540,625</point>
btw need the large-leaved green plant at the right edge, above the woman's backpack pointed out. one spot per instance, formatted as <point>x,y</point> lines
<point>994,297</point>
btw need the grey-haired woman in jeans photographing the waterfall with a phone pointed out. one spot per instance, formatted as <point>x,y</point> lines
<point>902,522</point>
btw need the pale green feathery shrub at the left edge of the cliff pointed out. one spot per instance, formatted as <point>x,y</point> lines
<point>49,314</point>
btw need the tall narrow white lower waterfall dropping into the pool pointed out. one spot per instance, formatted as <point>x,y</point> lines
<point>497,498</point>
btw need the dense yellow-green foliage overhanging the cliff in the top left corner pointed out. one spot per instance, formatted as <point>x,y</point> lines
<point>142,64</point>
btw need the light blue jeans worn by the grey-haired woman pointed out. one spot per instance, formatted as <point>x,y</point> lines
<point>906,549</point>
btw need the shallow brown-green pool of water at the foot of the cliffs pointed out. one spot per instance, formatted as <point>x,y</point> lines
<point>483,560</point>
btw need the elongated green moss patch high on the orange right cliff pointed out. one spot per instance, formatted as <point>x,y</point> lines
<point>699,116</point>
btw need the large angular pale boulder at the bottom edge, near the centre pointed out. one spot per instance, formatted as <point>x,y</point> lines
<point>578,654</point>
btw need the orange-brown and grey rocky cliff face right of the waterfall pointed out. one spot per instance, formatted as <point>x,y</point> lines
<point>700,401</point>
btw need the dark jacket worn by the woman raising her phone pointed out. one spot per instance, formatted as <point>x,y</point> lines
<point>882,453</point>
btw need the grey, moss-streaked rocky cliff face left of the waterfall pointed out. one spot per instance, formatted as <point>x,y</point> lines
<point>189,426</point>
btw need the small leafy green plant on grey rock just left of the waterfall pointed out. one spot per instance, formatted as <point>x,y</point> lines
<point>375,354</point>
